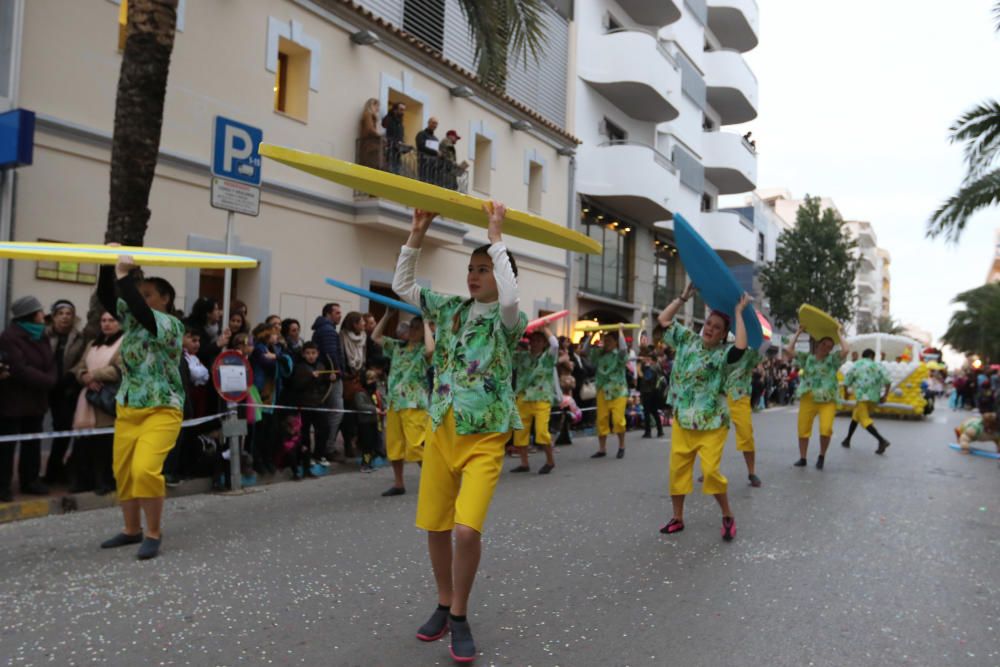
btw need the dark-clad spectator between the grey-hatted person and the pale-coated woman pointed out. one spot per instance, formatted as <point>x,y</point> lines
<point>66,340</point>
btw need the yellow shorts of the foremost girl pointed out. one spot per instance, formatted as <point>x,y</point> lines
<point>458,477</point>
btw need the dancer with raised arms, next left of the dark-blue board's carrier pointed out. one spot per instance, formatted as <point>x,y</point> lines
<point>612,388</point>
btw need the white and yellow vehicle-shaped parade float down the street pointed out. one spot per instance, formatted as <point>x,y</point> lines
<point>902,358</point>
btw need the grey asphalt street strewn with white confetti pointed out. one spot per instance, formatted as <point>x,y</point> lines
<point>873,561</point>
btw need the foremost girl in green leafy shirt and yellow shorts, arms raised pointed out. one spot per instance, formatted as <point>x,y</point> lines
<point>472,413</point>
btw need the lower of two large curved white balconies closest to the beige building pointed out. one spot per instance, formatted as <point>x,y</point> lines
<point>634,179</point>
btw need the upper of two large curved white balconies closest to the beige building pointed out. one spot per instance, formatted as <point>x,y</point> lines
<point>632,70</point>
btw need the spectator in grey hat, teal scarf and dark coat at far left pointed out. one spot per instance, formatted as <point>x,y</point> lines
<point>24,396</point>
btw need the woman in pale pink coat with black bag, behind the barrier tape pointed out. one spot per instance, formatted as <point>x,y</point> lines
<point>98,370</point>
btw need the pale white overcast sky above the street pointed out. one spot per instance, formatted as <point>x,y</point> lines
<point>856,98</point>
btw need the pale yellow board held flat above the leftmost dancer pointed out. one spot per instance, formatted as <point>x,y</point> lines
<point>104,254</point>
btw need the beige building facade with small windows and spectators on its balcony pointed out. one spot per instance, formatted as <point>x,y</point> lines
<point>324,59</point>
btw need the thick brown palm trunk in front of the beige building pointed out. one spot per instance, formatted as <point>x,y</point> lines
<point>142,87</point>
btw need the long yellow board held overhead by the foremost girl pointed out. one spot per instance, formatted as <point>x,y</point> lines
<point>417,194</point>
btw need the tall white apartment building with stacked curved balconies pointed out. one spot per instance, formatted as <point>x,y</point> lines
<point>655,85</point>
